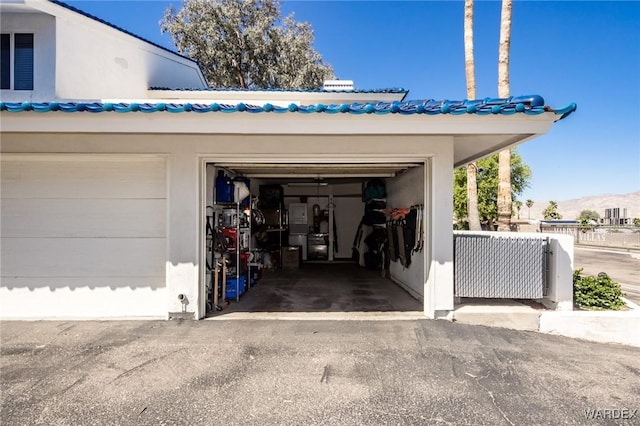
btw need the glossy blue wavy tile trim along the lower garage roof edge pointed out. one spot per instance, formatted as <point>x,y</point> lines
<point>530,105</point>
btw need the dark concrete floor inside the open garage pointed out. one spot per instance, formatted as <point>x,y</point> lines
<point>324,287</point>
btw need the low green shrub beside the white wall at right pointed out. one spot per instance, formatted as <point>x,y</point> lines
<point>596,293</point>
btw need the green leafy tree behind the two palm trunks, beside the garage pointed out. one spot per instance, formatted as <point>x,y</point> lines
<point>487,188</point>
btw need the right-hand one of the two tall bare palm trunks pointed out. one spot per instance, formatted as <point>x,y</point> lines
<point>504,159</point>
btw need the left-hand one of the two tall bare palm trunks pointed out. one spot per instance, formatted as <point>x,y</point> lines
<point>469,65</point>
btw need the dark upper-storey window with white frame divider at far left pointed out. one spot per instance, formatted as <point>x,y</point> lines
<point>22,54</point>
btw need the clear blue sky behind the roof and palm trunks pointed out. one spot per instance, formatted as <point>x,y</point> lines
<point>587,52</point>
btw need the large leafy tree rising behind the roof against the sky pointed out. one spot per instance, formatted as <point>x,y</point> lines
<point>246,44</point>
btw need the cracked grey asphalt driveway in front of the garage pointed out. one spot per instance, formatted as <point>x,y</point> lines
<point>308,373</point>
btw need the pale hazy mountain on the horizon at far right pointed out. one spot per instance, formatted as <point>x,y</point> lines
<point>570,209</point>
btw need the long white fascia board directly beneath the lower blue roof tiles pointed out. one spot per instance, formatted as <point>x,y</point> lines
<point>267,123</point>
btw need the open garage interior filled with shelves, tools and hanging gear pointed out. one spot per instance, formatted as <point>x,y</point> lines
<point>314,237</point>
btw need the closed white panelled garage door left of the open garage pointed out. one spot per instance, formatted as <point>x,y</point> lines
<point>82,236</point>
